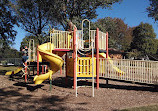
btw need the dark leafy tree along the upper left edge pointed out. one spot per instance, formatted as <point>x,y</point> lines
<point>7,22</point>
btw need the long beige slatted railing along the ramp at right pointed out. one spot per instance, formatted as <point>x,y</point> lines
<point>129,70</point>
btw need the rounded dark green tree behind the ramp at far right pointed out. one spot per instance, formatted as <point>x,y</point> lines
<point>144,39</point>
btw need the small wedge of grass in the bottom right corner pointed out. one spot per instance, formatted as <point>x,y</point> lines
<point>143,108</point>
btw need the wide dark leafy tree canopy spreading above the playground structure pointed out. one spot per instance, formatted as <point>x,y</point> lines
<point>35,15</point>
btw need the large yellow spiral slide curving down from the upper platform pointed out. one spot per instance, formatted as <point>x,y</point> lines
<point>55,61</point>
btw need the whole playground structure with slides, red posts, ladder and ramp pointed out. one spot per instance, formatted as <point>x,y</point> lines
<point>86,57</point>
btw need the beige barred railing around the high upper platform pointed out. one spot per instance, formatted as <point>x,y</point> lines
<point>64,39</point>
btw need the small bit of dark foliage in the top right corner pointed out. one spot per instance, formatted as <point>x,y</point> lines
<point>153,9</point>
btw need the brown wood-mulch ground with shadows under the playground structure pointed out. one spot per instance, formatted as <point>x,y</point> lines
<point>17,95</point>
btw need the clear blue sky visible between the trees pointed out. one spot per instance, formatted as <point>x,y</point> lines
<point>133,12</point>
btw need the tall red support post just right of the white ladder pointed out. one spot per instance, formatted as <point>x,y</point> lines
<point>97,57</point>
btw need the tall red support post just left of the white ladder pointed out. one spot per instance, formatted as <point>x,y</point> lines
<point>74,56</point>
